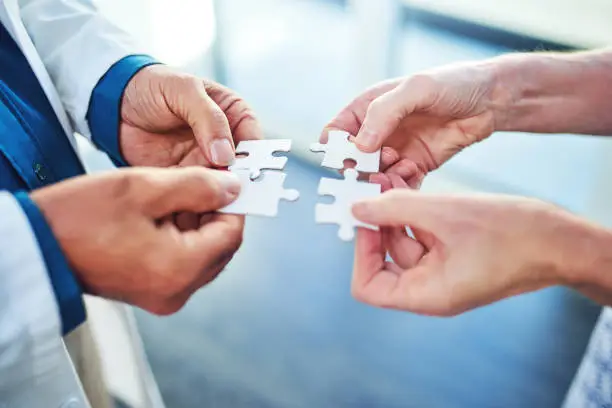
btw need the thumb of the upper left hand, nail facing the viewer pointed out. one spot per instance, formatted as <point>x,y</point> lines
<point>208,123</point>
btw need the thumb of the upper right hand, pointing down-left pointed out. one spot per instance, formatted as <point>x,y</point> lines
<point>386,112</point>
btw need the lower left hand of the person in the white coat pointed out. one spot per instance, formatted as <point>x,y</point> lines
<point>113,230</point>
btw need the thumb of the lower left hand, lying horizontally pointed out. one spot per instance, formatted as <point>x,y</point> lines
<point>192,189</point>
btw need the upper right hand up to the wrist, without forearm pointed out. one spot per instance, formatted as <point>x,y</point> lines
<point>423,120</point>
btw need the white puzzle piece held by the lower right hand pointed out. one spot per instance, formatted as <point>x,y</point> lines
<point>346,192</point>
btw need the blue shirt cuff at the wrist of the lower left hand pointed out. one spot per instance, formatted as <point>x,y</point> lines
<point>67,290</point>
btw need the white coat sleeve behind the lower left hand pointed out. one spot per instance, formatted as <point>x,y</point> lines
<point>35,370</point>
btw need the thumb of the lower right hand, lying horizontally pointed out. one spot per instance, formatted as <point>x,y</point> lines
<point>402,207</point>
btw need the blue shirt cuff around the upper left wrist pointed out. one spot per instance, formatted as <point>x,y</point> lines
<point>104,113</point>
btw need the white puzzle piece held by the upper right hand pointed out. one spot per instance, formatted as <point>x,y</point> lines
<point>339,148</point>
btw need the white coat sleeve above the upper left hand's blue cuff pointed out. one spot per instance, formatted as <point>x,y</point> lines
<point>77,45</point>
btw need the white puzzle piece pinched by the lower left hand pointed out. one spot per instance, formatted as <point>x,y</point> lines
<point>261,196</point>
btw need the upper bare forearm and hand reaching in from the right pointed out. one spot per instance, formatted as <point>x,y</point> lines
<point>423,120</point>
